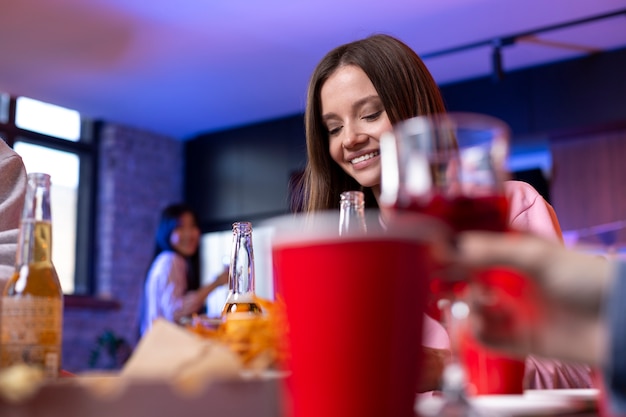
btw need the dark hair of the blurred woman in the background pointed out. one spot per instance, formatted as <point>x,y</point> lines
<point>170,220</point>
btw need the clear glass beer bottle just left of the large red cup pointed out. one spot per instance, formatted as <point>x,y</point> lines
<point>241,297</point>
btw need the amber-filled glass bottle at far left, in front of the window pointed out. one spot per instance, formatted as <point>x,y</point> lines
<point>31,317</point>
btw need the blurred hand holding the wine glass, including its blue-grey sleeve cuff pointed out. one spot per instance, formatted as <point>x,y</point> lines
<point>582,295</point>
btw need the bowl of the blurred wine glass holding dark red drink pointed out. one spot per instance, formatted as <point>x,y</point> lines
<point>451,166</point>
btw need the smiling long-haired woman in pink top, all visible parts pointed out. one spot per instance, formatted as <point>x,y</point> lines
<point>357,92</point>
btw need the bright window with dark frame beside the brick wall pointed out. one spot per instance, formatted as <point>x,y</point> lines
<point>57,141</point>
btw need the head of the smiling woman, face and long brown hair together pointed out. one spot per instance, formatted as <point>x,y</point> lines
<point>356,92</point>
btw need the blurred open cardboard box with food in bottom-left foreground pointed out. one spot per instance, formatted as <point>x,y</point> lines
<point>172,370</point>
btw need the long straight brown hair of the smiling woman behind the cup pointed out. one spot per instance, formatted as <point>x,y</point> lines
<point>406,89</point>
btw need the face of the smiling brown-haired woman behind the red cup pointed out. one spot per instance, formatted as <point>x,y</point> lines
<point>355,119</point>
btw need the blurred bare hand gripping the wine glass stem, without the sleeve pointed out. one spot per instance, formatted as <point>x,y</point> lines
<point>568,291</point>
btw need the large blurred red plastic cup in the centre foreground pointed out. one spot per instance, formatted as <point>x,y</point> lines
<point>355,310</point>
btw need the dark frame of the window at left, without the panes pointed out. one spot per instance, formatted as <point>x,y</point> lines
<point>86,211</point>
